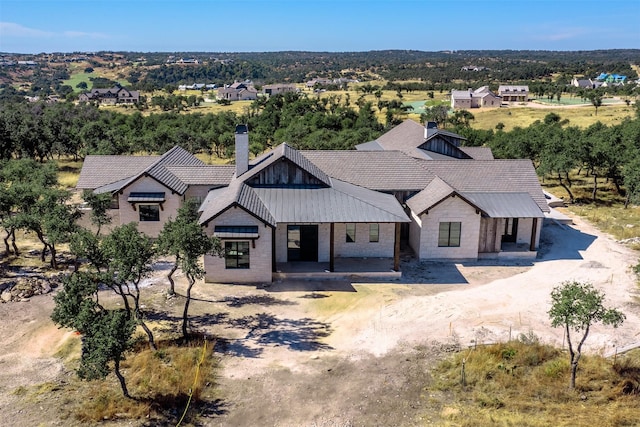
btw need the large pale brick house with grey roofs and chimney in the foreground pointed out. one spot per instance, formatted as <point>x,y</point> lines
<point>415,185</point>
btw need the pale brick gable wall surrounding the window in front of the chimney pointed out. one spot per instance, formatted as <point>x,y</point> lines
<point>259,257</point>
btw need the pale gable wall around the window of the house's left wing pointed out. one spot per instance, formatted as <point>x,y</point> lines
<point>148,185</point>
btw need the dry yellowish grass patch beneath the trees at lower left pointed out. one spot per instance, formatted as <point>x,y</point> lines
<point>160,381</point>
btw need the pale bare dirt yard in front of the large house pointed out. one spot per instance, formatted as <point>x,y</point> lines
<point>336,353</point>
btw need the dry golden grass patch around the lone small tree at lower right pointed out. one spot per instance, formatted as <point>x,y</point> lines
<point>526,384</point>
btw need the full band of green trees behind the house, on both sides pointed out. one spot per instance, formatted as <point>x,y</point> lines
<point>45,131</point>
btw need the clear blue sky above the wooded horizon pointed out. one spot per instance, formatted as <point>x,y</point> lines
<point>34,26</point>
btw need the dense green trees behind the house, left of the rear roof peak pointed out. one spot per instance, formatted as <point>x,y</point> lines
<point>45,131</point>
